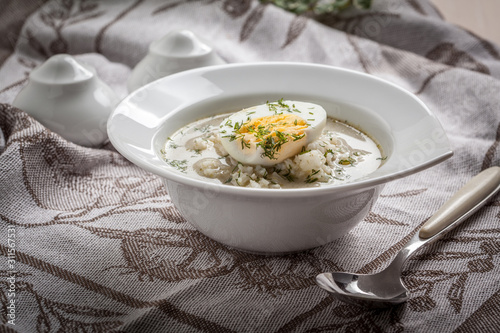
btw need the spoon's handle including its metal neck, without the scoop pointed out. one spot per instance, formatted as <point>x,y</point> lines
<point>457,209</point>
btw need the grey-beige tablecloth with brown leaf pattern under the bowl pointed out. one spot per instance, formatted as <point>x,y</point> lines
<point>99,246</point>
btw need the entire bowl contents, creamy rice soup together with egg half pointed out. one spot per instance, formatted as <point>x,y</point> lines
<point>284,144</point>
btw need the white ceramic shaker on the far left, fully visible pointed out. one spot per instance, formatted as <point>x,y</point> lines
<point>68,98</point>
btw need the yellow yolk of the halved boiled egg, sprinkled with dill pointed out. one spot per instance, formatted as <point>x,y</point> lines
<point>271,132</point>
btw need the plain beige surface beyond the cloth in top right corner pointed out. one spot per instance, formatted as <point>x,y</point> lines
<point>479,16</point>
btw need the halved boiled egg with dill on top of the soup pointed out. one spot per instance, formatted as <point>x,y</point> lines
<point>269,133</point>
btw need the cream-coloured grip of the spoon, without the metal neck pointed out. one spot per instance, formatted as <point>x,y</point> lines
<point>463,203</point>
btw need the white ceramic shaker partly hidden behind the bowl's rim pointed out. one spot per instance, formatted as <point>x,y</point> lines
<point>177,51</point>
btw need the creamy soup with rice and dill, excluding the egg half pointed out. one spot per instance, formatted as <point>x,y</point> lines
<point>340,154</point>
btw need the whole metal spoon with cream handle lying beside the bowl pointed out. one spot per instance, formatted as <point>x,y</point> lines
<point>385,288</point>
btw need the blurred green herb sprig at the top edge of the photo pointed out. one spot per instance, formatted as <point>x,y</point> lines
<point>319,6</point>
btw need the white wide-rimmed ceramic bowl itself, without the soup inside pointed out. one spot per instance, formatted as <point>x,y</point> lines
<point>284,220</point>
